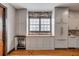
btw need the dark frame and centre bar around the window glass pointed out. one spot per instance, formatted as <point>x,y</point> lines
<point>39,25</point>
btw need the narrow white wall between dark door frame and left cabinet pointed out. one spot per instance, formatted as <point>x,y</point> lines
<point>10,26</point>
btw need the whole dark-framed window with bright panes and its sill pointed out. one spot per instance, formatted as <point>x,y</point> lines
<point>39,25</point>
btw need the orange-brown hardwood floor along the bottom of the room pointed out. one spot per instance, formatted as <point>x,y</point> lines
<point>64,52</point>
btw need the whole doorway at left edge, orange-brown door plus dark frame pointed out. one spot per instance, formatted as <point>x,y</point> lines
<point>3,40</point>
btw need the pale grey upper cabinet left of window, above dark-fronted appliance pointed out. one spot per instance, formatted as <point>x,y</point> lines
<point>21,16</point>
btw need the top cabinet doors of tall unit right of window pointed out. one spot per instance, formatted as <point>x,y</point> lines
<point>61,15</point>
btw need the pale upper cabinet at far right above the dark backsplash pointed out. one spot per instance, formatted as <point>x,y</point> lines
<point>73,20</point>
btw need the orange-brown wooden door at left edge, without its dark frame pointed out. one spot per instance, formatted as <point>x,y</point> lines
<point>1,31</point>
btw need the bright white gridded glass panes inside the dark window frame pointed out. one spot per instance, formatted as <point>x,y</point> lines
<point>44,24</point>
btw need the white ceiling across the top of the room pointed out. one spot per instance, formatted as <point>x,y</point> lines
<point>45,6</point>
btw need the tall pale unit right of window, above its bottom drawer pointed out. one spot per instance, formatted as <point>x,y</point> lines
<point>61,22</point>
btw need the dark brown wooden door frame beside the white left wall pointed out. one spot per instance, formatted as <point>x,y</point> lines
<point>4,33</point>
